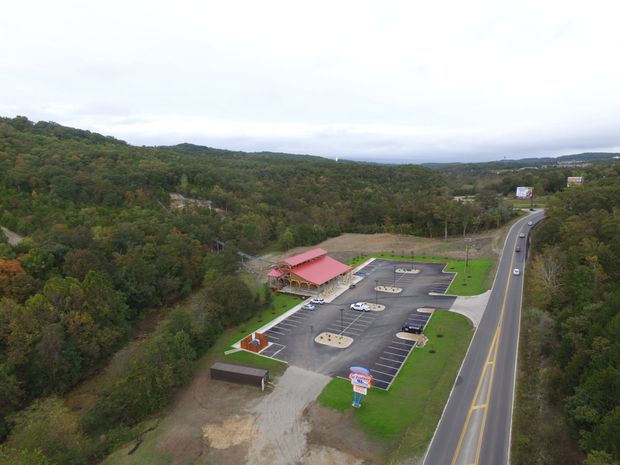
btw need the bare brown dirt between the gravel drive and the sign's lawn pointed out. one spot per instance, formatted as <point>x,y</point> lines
<point>337,431</point>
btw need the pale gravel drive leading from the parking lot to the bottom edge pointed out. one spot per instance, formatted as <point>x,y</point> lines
<point>280,420</point>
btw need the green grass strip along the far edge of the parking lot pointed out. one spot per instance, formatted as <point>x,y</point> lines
<point>472,279</point>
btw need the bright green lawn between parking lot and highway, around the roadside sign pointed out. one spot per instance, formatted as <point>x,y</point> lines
<point>408,413</point>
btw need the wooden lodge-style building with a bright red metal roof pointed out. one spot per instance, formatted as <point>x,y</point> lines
<point>309,273</point>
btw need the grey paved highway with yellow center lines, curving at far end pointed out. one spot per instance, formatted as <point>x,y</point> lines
<point>475,427</point>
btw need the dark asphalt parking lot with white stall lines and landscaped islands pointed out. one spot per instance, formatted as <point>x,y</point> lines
<point>375,345</point>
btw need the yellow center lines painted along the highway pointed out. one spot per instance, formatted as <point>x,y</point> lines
<point>490,360</point>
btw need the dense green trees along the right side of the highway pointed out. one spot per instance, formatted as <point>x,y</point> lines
<point>573,328</point>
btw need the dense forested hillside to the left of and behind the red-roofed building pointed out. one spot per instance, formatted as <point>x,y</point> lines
<point>104,245</point>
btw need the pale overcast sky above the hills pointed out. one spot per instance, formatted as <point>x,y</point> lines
<point>419,80</point>
